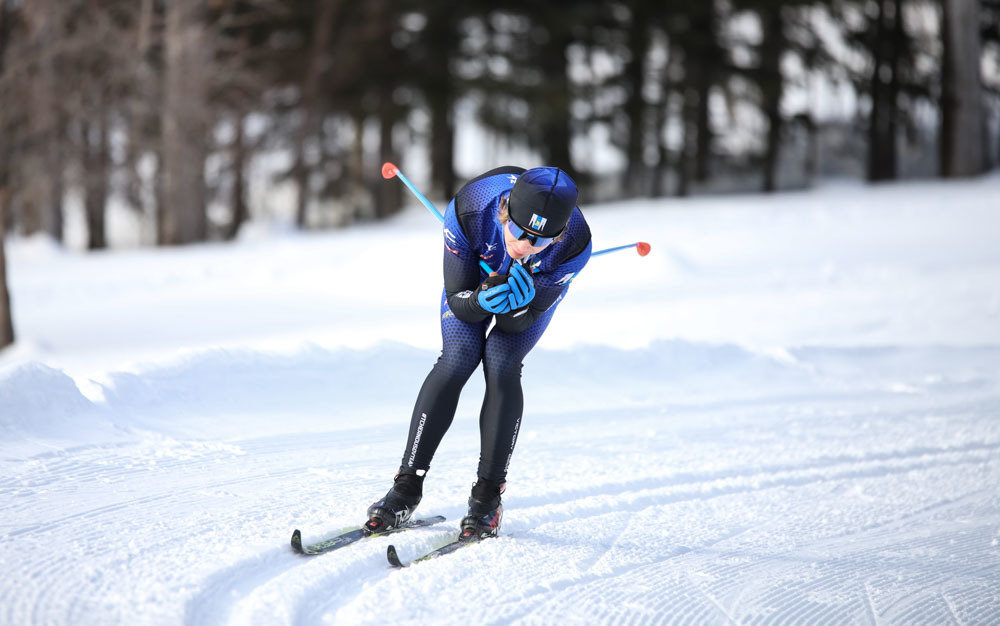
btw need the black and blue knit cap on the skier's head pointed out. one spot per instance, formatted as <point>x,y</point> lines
<point>542,201</point>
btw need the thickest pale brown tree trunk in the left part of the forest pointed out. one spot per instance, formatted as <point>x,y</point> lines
<point>184,124</point>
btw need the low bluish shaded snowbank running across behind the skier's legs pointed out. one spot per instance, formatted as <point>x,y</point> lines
<point>259,393</point>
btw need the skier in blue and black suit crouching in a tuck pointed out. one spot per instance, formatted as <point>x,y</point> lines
<point>525,225</point>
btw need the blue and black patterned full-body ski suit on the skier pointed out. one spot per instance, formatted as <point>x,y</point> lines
<point>473,232</point>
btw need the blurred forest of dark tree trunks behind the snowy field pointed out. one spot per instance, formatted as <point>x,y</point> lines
<point>184,119</point>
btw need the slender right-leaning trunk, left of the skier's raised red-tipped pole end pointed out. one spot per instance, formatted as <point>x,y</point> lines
<point>309,105</point>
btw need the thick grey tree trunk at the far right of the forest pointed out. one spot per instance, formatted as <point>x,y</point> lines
<point>961,91</point>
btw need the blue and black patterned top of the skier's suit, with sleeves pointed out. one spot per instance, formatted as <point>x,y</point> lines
<point>473,232</point>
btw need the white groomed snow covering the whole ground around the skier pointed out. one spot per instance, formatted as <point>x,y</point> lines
<point>789,412</point>
